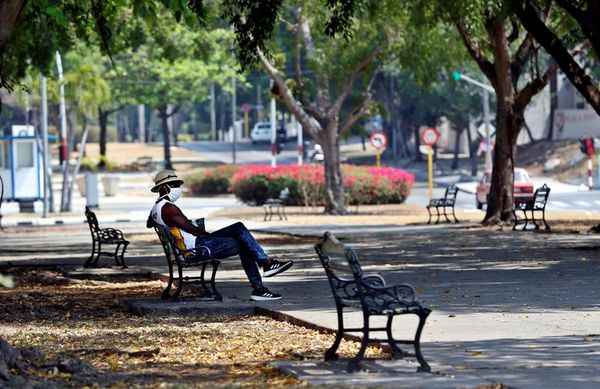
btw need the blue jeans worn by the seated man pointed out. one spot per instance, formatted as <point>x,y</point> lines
<point>233,240</point>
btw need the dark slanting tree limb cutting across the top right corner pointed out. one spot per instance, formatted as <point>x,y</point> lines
<point>559,38</point>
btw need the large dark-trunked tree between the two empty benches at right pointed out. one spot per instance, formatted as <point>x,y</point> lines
<point>504,54</point>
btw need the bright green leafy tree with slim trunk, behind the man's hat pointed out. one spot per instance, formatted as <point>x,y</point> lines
<point>173,64</point>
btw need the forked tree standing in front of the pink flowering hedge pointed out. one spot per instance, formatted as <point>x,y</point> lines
<point>326,71</point>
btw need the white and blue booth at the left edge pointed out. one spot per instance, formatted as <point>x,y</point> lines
<point>21,166</point>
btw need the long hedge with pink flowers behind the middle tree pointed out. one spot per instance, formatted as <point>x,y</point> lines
<point>362,184</point>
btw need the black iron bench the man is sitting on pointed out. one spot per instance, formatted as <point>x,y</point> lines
<point>197,257</point>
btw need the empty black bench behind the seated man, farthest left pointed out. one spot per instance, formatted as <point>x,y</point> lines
<point>104,236</point>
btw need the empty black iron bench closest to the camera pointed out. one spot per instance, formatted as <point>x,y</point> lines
<point>353,289</point>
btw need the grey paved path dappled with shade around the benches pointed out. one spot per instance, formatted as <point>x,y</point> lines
<point>510,307</point>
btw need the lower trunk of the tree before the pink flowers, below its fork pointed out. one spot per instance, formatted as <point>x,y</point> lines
<point>334,188</point>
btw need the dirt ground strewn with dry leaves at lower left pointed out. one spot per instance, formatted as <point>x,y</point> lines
<point>89,339</point>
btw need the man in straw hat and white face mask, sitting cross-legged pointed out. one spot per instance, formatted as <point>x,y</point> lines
<point>232,240</point>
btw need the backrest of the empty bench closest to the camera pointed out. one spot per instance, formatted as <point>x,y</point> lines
<point>341,267</point>
